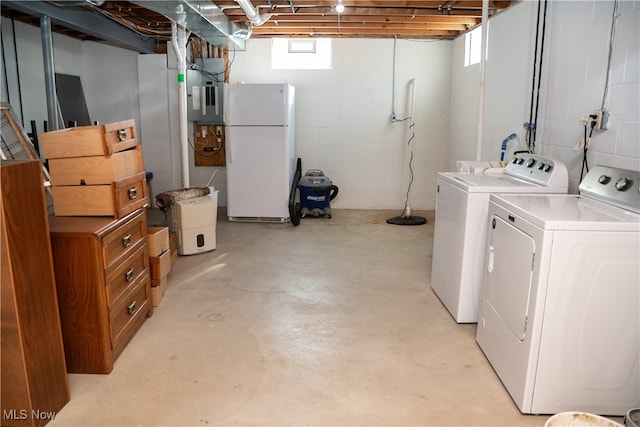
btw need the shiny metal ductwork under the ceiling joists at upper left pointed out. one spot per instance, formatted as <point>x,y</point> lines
<point>205,19</point>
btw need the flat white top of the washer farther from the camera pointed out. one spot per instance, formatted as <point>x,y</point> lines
<point>495,183</point>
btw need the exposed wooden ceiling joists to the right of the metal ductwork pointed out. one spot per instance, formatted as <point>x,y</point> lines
<point>420,19</point>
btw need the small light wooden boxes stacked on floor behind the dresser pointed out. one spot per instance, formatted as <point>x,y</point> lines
<point>159,260</point>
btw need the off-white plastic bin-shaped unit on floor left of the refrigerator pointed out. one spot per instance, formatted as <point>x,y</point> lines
<point>195,223</point>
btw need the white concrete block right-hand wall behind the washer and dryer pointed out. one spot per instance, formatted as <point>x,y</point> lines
<point>575,59</point>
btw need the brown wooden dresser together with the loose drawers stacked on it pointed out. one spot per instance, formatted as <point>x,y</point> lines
<point>98,240</point>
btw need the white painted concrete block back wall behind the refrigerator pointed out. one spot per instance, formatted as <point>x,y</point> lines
<point>343,124</point>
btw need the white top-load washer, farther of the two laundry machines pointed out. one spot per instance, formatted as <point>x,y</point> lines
<point>459,239</point>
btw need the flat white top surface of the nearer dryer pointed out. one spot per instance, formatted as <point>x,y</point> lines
<point>567,212</point>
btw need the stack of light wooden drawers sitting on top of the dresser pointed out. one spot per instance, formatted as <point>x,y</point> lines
<point>96,170</point>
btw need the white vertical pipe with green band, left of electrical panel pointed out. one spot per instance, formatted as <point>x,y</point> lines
<point>179,43</point>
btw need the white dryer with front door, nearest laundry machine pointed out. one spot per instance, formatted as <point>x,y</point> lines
<point>558,317</point>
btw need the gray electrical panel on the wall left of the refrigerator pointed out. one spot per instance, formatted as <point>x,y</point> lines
<point>205,91</point>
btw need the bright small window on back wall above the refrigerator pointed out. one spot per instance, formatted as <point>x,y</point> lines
<point>301,54</point>
